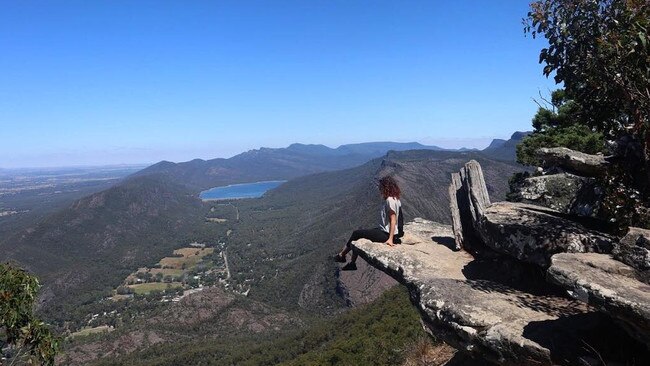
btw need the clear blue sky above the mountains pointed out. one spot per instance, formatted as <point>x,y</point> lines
<point>105,82</point>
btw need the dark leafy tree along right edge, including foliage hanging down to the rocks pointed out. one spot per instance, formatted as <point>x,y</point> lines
<point>600,51</point>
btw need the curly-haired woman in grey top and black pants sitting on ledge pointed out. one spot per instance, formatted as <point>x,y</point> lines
<point>386,232</point>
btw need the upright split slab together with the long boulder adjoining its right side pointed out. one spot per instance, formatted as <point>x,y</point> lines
<point>528,233</point>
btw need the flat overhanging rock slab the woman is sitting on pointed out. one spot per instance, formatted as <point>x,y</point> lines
<point>471,305</point>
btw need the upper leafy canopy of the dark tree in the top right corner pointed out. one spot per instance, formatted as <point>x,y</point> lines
<point>600,50</point>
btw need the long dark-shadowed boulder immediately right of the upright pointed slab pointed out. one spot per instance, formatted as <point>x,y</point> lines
<point>534,234</point>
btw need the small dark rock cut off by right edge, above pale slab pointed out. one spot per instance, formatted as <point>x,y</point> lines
<point>634,250</point>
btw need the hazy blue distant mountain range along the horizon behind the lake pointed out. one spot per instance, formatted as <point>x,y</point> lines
<point>296,160</point>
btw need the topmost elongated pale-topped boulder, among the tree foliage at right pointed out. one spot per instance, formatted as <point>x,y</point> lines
<point>573,161</point>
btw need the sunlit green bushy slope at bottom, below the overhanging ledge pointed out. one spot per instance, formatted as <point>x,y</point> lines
<point>378,334</point>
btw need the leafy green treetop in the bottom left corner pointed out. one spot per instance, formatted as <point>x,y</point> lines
<point>25,338</point>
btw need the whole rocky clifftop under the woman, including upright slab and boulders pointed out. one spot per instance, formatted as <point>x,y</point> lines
<point>532,286</point>
